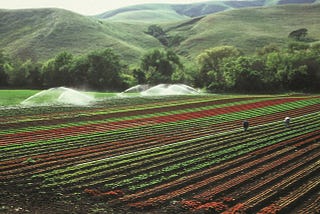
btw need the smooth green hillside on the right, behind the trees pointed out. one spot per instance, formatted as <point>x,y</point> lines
<point>247,29</point>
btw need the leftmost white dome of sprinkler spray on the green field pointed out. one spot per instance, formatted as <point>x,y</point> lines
<point>59,96</point>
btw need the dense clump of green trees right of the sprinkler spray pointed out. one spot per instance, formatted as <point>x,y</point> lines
<point>296,68</point>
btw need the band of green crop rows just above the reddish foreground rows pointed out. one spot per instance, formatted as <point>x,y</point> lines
<point>213,152</point>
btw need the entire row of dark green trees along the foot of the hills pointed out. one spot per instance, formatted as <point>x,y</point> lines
<point>217,69</point>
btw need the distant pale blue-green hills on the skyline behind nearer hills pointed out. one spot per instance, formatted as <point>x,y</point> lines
<point>173,12</point>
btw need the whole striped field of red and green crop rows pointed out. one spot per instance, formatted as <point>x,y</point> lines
<point>174,154</point>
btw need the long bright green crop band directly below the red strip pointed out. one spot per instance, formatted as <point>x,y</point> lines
<point>163,126</point>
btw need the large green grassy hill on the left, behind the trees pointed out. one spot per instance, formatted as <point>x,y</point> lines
<point>42,33</point>
